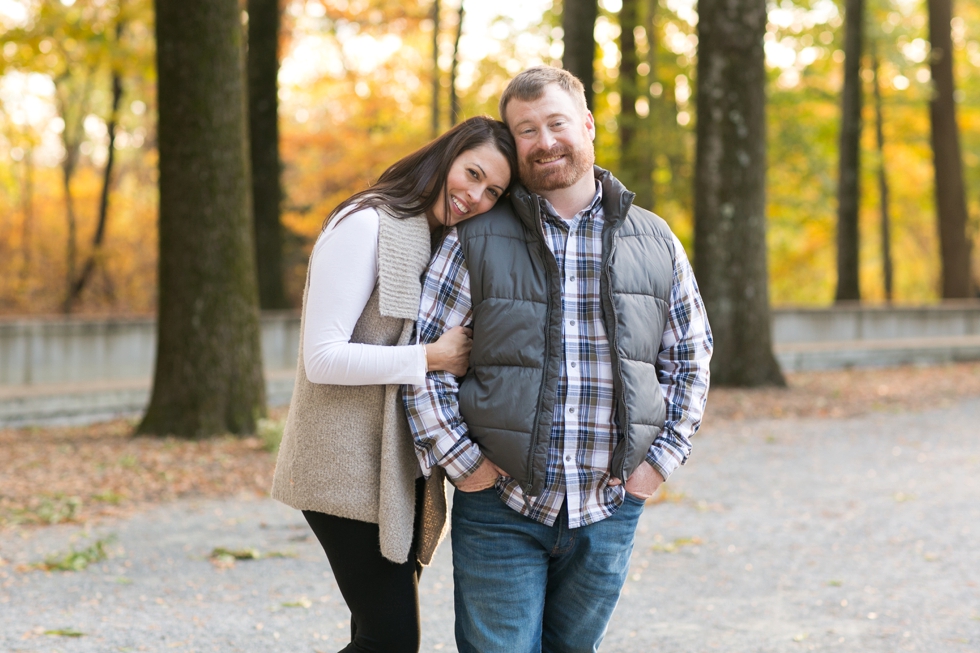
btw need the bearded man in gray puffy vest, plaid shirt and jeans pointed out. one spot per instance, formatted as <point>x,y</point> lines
<point>589,367</point>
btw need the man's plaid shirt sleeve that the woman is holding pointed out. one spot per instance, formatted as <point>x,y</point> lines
<point>441,435</point>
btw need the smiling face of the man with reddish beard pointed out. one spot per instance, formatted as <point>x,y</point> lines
<point>554,139</point>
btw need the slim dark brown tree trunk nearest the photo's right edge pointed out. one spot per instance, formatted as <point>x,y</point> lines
<point>950,194</point>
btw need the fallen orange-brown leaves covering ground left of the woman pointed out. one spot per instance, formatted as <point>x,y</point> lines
<point>79,473</point>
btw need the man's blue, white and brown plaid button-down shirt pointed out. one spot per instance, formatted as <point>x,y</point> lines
<point>584,432</point>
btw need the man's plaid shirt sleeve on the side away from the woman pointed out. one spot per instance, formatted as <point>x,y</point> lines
<point>682,366</point>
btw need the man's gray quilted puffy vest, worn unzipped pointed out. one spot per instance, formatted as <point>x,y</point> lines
<point>508,397</point>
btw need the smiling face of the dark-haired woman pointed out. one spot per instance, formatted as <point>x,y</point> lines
<point>477,179</point>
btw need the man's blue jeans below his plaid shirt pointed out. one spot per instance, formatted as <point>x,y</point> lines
<point>523,587</point>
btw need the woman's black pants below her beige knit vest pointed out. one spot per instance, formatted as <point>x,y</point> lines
<point>382,596</point>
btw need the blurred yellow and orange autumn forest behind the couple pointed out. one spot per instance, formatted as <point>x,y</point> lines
<point>356,93</point>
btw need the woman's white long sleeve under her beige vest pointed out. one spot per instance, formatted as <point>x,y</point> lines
<point>343,274</point>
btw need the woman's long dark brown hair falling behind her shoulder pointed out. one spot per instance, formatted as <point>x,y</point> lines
<point>412,185</point>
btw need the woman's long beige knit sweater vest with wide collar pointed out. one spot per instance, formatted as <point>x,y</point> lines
<point>347,450</point>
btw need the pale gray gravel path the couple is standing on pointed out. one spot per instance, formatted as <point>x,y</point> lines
<point>784,535</point>
